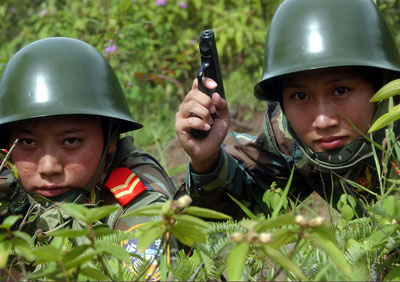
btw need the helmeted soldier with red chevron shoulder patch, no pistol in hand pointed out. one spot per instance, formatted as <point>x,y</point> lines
<point>62,101</point>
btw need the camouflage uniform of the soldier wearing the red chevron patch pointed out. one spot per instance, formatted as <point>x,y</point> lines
<point>158,187</point>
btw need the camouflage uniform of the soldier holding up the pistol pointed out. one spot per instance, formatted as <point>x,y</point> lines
<point>248,165</point>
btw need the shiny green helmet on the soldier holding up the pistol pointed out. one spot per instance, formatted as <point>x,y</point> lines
<point>312,34</point>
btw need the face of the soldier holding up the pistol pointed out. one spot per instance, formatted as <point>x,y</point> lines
<point>318,102</point>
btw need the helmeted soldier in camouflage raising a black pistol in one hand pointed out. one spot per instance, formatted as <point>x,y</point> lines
<point>324,60</point>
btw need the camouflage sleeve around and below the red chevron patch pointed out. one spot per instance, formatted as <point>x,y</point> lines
<point>158,189</point>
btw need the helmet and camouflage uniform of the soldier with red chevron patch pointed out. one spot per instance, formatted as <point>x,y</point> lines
<point>60,76</point>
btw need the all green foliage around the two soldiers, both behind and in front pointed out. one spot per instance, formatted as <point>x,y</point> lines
<point>153,49</point>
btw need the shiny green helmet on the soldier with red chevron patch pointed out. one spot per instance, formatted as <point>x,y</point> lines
<point>62,76</point>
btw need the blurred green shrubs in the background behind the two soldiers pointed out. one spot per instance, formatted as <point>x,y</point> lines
<point>153,47</point>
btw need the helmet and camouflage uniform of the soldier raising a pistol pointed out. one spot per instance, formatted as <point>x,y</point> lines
<point>303,35</point>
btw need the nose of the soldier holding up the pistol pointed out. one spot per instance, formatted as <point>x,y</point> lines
<point>325,116</point>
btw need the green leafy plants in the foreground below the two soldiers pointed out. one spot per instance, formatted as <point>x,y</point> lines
<point>284,247</point>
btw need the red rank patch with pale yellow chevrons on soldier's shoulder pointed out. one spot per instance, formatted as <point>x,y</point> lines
<point>124,184</point>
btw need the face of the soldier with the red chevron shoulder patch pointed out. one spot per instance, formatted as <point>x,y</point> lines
<point>56,154</point>
